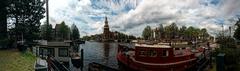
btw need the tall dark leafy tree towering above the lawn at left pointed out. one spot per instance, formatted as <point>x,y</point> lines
<point>26,15</point>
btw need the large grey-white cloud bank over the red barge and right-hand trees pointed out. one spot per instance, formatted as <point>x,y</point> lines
<point>183,12</point>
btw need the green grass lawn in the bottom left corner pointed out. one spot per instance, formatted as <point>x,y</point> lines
<point>13,60</point>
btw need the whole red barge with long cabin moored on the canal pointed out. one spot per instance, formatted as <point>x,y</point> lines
<point>158,57</point>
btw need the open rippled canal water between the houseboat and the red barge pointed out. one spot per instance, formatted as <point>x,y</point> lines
<point>100,52</point>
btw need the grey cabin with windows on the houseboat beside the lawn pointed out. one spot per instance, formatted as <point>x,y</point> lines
<point>59,50</point>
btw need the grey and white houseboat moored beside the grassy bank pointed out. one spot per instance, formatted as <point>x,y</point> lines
<point>59,53</point>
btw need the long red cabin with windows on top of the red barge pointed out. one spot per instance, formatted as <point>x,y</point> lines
<point>161,53</point>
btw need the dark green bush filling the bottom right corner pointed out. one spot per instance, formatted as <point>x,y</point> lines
<point>232,54</point>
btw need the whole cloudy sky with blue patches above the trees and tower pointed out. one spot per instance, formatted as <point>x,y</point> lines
<point>132,16</point>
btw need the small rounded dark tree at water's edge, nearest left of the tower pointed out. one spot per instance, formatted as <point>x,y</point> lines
<point>74,32</point>
